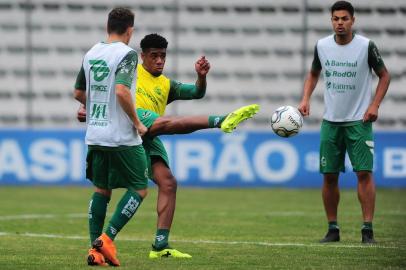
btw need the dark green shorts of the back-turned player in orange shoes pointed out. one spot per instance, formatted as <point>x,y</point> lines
<point>117,167</point>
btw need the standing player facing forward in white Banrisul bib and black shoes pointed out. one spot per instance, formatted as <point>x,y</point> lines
<point>346,60</point>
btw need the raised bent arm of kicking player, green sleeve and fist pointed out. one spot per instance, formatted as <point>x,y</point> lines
<point>180,91</point>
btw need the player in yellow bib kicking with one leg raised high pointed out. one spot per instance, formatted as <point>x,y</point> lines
<point>154,92</point>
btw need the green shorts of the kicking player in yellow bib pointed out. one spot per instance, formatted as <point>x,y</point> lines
<point>153,145</point>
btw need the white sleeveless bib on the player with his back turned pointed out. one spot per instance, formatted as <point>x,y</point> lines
<point>107,123</point>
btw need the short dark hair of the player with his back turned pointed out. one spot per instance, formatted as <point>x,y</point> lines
<point>120,19</point>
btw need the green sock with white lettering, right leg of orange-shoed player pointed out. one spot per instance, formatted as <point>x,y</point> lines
<point>125,210</point>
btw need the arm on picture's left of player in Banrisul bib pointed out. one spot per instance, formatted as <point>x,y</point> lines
<point>310,84</point>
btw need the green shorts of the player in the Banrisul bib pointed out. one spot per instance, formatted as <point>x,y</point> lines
<point>336,139</point>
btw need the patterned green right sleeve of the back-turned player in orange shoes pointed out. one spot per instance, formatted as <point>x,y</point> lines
<point>126,69</point>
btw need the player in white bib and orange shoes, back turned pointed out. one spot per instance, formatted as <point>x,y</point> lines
<point>115,158</point>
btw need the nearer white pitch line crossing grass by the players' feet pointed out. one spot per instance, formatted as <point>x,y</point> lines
<point>200,241</point>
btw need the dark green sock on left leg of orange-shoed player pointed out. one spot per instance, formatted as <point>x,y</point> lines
<point>97,214</point>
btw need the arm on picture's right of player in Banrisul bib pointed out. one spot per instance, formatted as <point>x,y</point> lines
<point>376,63</point>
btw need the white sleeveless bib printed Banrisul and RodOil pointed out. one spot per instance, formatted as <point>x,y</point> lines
<point>347,78</point>
